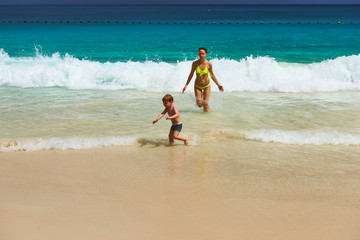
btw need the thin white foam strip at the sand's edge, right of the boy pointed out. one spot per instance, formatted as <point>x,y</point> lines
<point>302,137</point>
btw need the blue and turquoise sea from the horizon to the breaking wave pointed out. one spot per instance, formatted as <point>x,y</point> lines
<point>174,33</point>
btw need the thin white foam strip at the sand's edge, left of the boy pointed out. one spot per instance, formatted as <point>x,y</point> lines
<point>65,143</point>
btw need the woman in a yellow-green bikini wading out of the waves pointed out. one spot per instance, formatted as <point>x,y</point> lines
<point>202,82</point>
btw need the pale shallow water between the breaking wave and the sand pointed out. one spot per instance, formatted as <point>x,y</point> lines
<point>62,118</point>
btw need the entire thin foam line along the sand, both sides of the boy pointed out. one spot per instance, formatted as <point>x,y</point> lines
<point>262,135</point>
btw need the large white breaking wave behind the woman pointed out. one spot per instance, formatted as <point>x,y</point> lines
<point>250,74</point>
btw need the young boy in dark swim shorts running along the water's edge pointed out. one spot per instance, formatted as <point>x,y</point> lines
<point>174,116</point>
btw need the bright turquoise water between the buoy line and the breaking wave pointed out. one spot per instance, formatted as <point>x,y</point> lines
<point>172,43</point>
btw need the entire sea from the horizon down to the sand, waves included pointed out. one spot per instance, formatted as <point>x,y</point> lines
<point>80,85</point>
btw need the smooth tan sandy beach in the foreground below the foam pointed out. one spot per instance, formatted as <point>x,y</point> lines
<point>152,191</point>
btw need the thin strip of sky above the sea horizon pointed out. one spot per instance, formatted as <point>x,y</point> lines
<point>119,2</point>
